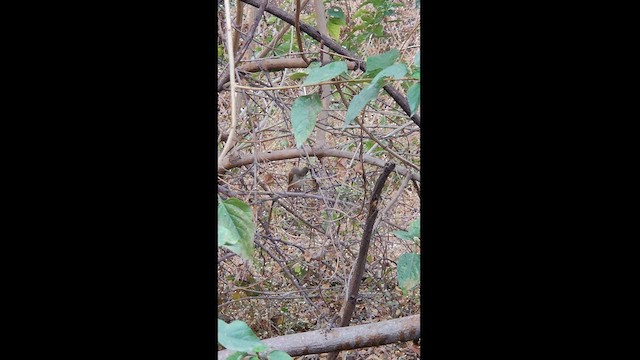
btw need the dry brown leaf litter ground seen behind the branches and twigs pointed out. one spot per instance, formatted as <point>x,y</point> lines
<point>295,244</point>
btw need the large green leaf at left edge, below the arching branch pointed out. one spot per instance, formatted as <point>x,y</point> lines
<point>235,227</point>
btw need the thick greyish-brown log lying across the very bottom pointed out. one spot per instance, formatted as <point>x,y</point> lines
<point>353,337</point>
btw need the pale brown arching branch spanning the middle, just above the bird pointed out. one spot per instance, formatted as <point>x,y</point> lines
<point>262,157</point>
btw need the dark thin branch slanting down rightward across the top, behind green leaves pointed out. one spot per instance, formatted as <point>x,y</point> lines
<point>333,45</point>
